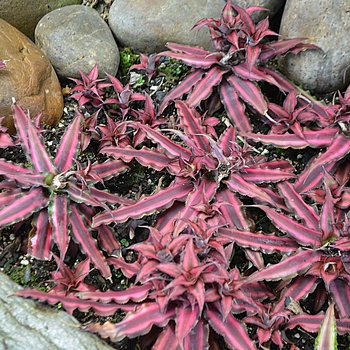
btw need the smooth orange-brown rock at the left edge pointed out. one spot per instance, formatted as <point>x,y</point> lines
<point>28,77</point>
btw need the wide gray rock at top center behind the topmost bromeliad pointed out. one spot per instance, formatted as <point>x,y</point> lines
<point>147,25</point>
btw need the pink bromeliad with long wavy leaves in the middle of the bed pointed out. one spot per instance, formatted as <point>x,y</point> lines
<point>204,167</point>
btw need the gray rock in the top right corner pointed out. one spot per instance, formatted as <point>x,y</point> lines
<point>327,25</point>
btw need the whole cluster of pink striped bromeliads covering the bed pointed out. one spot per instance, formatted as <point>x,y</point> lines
<point>208,269</point>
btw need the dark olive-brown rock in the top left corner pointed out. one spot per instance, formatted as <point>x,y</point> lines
<point>24,15</point>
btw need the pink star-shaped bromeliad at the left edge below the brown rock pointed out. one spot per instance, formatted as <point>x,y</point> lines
<point>55,194</point>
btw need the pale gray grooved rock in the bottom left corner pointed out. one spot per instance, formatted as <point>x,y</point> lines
<point>27,324</point>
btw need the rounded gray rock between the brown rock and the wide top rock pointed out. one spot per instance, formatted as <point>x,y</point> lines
<point>76,37</point>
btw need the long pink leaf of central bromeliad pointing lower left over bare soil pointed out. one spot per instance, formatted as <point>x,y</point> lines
<point>160,200</point>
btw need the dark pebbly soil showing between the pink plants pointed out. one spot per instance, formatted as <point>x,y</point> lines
<point>30,272</point>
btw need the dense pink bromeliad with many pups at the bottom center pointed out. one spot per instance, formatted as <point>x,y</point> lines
<point>187,291</point>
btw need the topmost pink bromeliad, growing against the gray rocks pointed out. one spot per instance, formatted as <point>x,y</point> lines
<point>230,74</point>
